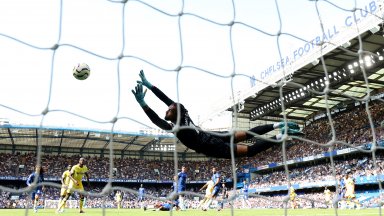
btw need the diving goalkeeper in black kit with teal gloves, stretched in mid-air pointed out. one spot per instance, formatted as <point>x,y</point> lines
<point>209,144</point>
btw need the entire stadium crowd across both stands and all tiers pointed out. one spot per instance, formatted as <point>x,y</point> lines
<point>351,127</point>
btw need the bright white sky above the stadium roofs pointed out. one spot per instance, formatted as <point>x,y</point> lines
<point>118,40</point>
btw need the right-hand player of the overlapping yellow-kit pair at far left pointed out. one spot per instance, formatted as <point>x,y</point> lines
<point>77,173</point>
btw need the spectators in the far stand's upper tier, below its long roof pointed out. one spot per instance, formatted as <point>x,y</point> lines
<point>127,168</point>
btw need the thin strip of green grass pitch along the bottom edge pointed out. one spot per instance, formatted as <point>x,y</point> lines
<point>226,212</point>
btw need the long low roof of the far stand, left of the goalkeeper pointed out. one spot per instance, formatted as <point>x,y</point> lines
<point>85,139</point>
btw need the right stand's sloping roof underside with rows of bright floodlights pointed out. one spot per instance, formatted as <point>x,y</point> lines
<point>303,93</point>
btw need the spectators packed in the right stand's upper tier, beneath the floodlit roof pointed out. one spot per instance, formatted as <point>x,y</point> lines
<point>351,127</point>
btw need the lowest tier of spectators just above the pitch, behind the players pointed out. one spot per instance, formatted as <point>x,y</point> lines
<point>130,200</point>
